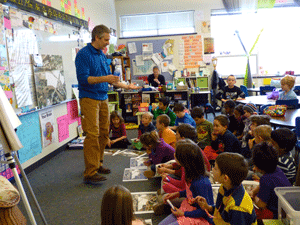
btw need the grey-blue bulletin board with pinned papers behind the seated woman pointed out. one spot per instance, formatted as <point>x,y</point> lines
<point>148,64</point>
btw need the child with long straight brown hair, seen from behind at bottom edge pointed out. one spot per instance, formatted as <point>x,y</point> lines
<point>117,207</point>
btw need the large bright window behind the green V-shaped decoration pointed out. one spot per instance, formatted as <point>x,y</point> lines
<point>278,46</point>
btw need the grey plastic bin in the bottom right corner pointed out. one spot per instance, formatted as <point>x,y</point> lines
<point>288,205</point>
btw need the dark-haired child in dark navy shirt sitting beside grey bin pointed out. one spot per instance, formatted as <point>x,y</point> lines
<point>265,160</point>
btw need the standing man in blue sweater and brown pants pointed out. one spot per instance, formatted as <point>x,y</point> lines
<point>93,75</point>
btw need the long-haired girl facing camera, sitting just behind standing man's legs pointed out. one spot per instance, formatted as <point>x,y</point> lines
<point>119,136</point>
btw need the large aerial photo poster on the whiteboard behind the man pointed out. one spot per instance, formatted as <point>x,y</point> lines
<point>50,81</point>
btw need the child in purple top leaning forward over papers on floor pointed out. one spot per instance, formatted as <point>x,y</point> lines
<point>157,149</point>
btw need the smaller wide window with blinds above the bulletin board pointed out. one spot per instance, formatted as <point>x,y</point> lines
<point>157,24</point>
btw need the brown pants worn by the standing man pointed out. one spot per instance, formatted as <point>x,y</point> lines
<point>95,123</point>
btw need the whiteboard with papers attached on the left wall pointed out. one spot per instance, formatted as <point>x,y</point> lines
<point>53,43</point>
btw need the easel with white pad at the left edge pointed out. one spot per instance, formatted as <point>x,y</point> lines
<point>10,142</point>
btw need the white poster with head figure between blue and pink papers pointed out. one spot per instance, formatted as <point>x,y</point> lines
<point>47,127</point>
